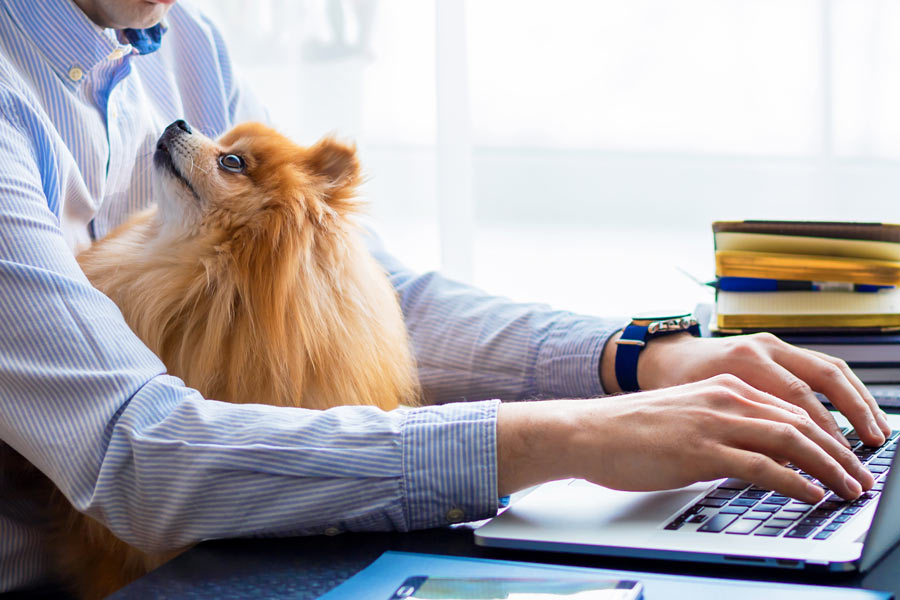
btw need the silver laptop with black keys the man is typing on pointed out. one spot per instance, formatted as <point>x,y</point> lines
<point>724,521</point>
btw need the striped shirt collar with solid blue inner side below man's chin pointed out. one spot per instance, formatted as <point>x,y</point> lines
<point>72,43</point>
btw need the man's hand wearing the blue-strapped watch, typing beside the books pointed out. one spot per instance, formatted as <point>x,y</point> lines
<point>766,363</point>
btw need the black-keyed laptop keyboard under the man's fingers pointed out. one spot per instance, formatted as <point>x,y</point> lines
<point>738,508</point>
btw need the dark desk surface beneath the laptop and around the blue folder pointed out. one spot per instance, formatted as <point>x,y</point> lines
<point>305,568</point>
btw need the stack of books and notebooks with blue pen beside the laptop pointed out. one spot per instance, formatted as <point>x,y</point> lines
<point>830,287</point>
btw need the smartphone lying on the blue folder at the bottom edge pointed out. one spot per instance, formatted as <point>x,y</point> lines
<point>422,587</point>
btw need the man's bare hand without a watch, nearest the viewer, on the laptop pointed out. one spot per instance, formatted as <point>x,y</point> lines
<point>663,439</point>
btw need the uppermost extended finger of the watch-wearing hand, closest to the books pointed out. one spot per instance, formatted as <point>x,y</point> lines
<point>829,379</point>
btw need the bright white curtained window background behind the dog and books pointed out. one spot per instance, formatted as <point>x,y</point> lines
<point>576,151</point>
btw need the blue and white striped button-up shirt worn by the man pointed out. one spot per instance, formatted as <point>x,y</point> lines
<point>86,402</point>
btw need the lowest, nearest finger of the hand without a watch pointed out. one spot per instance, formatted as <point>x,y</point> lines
<point>761,470</point>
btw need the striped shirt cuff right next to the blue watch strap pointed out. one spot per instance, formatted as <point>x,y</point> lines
<point>568,361</point>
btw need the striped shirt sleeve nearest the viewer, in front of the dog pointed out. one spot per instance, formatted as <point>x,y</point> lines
<point>87,403</point>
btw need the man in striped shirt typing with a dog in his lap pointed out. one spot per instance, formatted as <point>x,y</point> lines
<point>86,87</point>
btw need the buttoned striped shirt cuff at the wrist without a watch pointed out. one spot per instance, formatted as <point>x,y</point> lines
<point>450,463</point>
